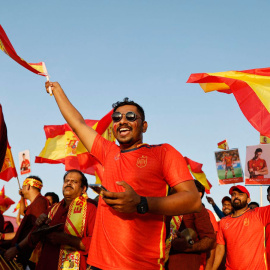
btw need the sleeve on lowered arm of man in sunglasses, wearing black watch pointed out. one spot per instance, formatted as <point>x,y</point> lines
<point>175,167</point>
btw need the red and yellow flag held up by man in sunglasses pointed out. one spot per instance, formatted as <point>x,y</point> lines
<point>6,47</point>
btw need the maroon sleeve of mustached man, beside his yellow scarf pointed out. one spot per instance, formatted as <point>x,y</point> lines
<point>91,217</point>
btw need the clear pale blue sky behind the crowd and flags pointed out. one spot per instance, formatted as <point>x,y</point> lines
<point>103,51</point>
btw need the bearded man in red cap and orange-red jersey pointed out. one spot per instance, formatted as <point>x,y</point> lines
<point>242,234</point>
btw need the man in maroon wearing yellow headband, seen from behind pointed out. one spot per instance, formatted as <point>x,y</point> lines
<point>31,188</point>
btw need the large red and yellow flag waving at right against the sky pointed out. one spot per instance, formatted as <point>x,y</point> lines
<point>251,89</point>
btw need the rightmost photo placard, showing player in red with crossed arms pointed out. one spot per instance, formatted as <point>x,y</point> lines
<point>257,162</point>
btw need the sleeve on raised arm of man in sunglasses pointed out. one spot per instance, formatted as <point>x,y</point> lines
<point>100,148</point>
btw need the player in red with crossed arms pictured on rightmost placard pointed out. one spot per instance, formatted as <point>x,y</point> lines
<point>256,166</point>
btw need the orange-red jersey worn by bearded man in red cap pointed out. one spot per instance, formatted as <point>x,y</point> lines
<point>245,239</point>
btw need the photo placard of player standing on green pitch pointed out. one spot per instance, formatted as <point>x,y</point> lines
<point>229,167</point>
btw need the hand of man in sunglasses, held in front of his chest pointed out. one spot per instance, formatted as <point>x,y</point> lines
<point>124,202</point>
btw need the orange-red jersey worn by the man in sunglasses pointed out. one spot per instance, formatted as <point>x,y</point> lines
<point>134,241</point>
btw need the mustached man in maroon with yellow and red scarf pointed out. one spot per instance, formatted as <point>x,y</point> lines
<point>67,247</point>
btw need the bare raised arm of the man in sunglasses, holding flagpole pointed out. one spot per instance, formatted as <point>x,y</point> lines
<point>85,133</point>
